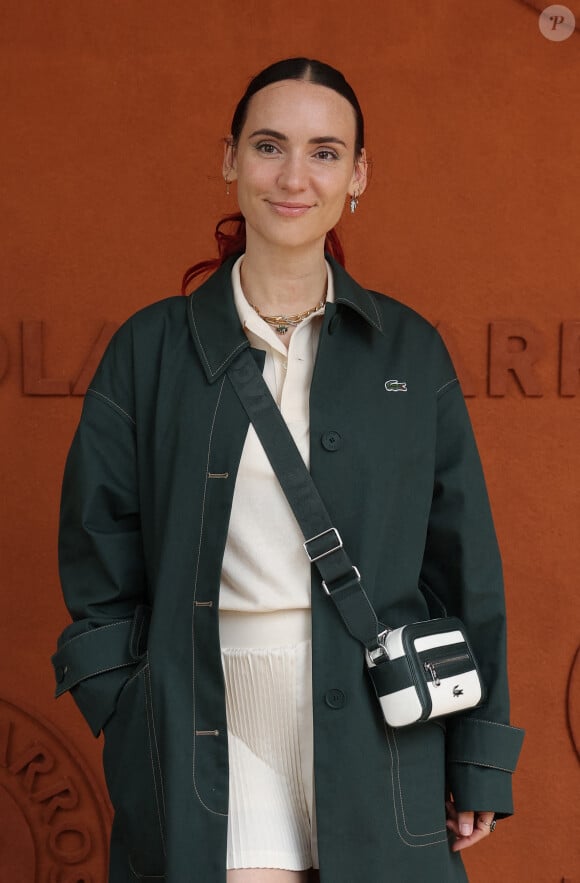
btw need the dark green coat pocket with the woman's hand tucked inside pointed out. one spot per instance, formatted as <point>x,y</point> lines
<point>133,774</point>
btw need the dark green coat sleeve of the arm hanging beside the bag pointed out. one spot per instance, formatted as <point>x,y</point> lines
<point>462,567</point>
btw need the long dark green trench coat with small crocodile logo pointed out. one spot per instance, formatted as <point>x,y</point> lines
<point>146,501</point>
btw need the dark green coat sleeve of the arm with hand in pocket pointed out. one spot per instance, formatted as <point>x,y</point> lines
<point>101,558</point>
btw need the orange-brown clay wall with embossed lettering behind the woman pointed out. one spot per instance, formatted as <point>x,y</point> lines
<point>112,120</point>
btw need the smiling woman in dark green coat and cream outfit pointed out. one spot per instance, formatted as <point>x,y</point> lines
<point>242,737</point>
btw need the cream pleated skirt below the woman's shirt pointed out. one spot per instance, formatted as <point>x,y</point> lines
<point>271,822</point>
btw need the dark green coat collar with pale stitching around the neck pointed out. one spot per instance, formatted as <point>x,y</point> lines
<point>215,327</point>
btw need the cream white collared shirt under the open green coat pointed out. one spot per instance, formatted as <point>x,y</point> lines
<point>265,567</point>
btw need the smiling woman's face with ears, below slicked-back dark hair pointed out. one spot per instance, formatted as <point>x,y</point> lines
<point>295,164</point>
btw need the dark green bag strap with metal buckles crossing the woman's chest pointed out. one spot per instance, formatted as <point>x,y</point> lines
<point>323,545</point>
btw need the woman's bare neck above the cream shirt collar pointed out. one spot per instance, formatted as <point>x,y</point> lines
<point>282,283</point>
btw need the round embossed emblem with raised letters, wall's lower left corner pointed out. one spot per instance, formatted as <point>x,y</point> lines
<point>54,818</point>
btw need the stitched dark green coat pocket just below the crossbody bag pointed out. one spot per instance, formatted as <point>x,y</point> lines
<point>418,783</point>
